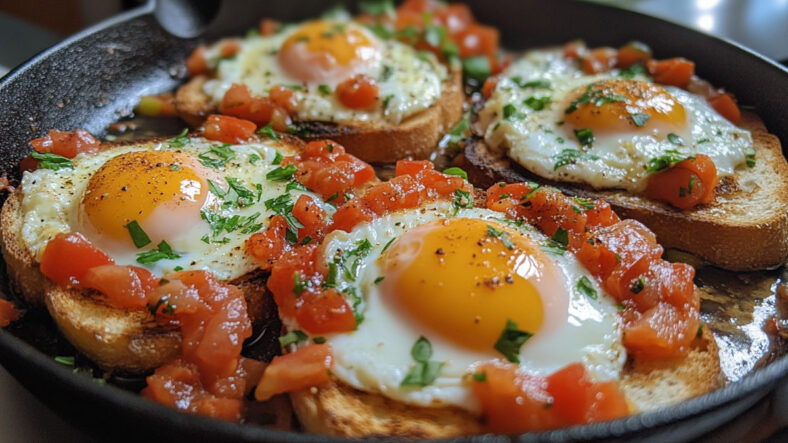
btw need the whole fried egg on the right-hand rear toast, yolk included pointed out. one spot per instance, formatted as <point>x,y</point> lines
<point>601,130</point>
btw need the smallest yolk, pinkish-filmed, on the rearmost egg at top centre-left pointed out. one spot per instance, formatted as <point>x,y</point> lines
<point>326,51</point>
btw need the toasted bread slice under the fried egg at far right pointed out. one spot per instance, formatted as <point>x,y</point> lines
<point>744,228</point>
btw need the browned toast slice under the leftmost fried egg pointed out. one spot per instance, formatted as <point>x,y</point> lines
<point>114,338</point>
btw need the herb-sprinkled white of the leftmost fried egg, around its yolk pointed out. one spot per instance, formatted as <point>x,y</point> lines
<point>52,199</point>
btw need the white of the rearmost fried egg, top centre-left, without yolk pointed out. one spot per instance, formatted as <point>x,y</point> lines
<point>412,82</point>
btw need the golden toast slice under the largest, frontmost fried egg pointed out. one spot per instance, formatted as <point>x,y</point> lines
<point>337,409</point>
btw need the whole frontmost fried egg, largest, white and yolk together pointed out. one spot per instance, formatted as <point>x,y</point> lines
<point>457,280</point>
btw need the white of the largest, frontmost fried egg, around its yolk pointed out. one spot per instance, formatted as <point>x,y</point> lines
<point>376,356</point>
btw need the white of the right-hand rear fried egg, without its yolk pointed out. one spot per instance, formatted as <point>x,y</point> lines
<point>536,138</point>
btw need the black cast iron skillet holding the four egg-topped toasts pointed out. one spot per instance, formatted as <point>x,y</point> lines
<point>95,77</point>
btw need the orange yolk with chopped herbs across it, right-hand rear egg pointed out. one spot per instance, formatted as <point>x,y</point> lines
<point>622,105</point>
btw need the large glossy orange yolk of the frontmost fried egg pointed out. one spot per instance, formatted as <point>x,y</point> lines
<point>465,278</point>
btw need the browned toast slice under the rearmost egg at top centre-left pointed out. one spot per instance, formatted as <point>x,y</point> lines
<point>416,137</point>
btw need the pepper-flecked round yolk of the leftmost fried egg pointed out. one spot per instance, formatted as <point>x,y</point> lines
<point>162,191</point>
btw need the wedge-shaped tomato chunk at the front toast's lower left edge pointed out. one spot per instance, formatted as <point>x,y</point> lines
<point>304,368</point>
